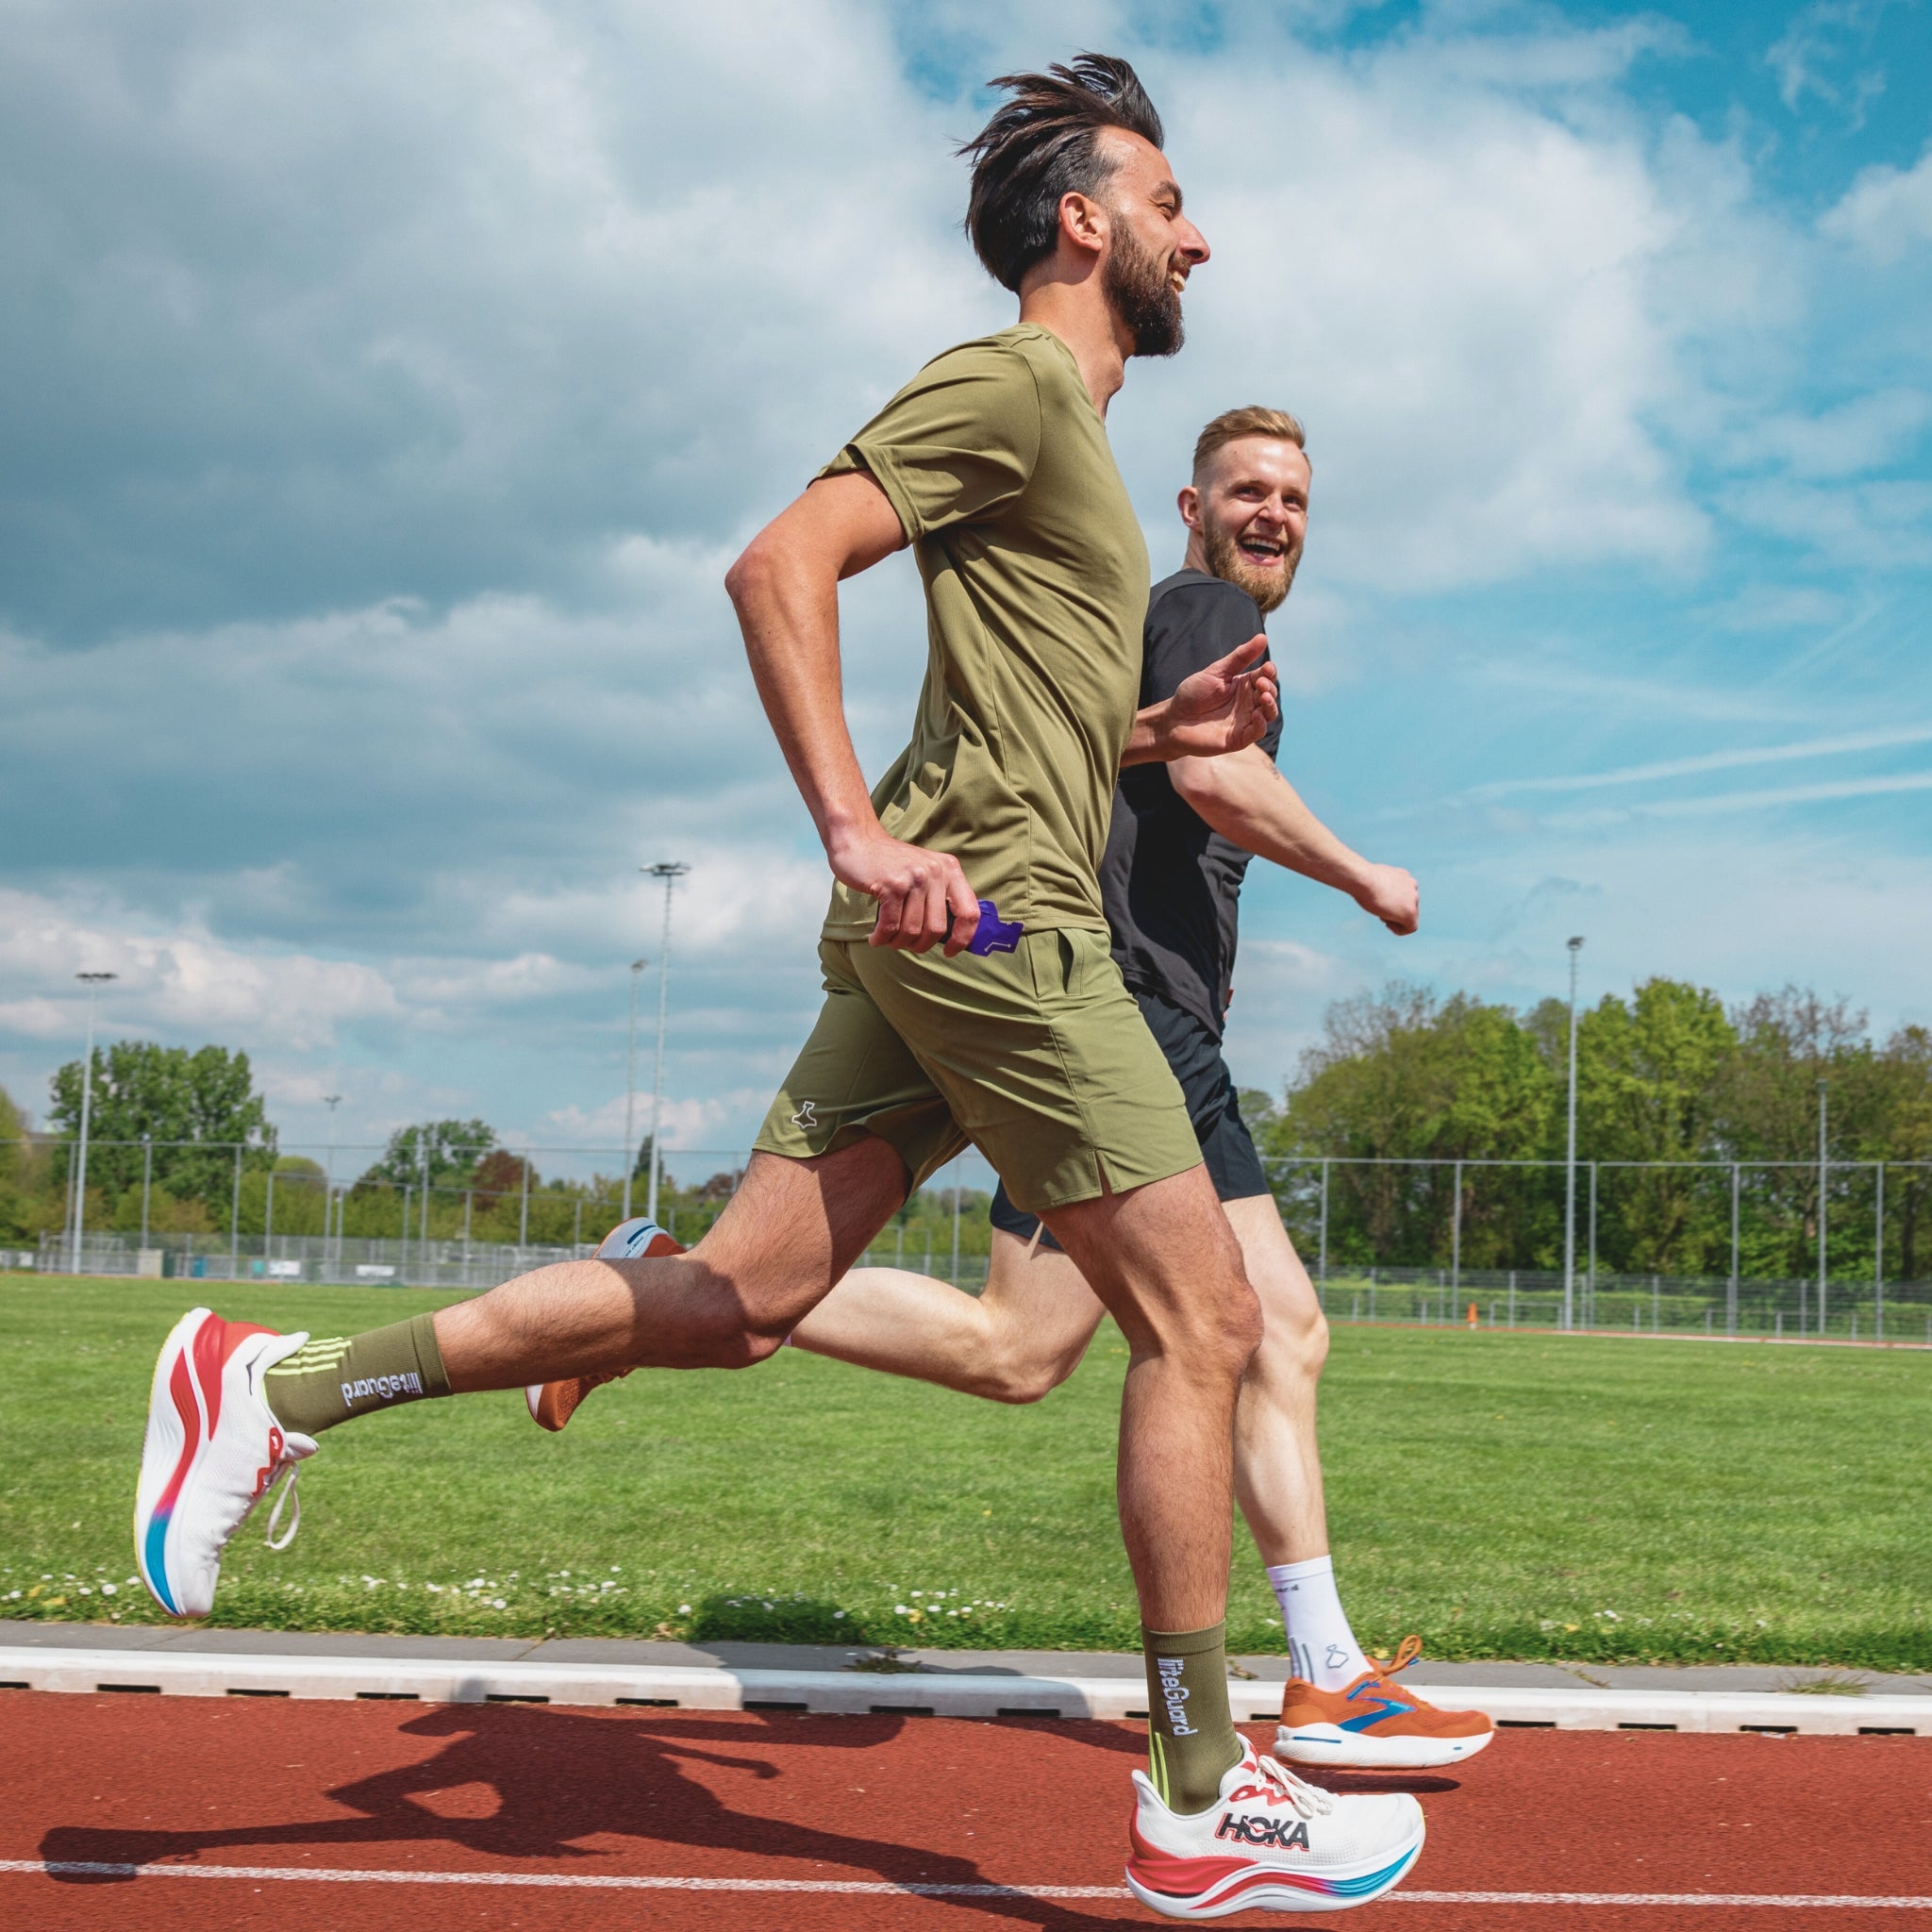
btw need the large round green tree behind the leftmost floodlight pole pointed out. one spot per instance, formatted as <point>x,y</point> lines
<point>194,1106</point>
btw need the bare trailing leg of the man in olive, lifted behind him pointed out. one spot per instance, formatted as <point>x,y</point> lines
<point>785,1237</point>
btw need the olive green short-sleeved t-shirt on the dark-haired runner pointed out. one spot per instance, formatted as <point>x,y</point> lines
<point>1037,586</point>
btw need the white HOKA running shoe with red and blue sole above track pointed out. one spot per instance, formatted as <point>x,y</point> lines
<point>1270,1842</point>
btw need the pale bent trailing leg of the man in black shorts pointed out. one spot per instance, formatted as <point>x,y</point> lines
<point>1017,1340</point>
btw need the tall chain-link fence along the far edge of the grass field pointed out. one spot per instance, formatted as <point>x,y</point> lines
<point>1384,1239</point>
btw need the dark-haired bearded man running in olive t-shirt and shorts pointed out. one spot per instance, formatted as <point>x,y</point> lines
<point>994,467</point>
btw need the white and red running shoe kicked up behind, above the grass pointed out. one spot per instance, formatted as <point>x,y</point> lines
<point>213,1450</point>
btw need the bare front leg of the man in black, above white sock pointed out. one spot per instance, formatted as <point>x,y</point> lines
<point>1278,1467</point>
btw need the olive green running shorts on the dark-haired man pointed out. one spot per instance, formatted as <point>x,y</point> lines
<point>1038,1058</point>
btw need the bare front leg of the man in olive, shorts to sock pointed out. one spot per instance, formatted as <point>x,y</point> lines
<point>1168,1268</point>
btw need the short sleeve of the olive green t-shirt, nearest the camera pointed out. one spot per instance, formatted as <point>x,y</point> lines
<point>957,443</point>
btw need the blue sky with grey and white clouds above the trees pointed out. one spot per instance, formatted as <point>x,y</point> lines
<point>389,385</point>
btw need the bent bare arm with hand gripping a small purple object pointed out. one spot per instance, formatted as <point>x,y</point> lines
<point>785,590</point>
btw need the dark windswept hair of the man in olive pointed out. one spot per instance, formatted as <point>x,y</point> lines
<point>1042,144</point>
